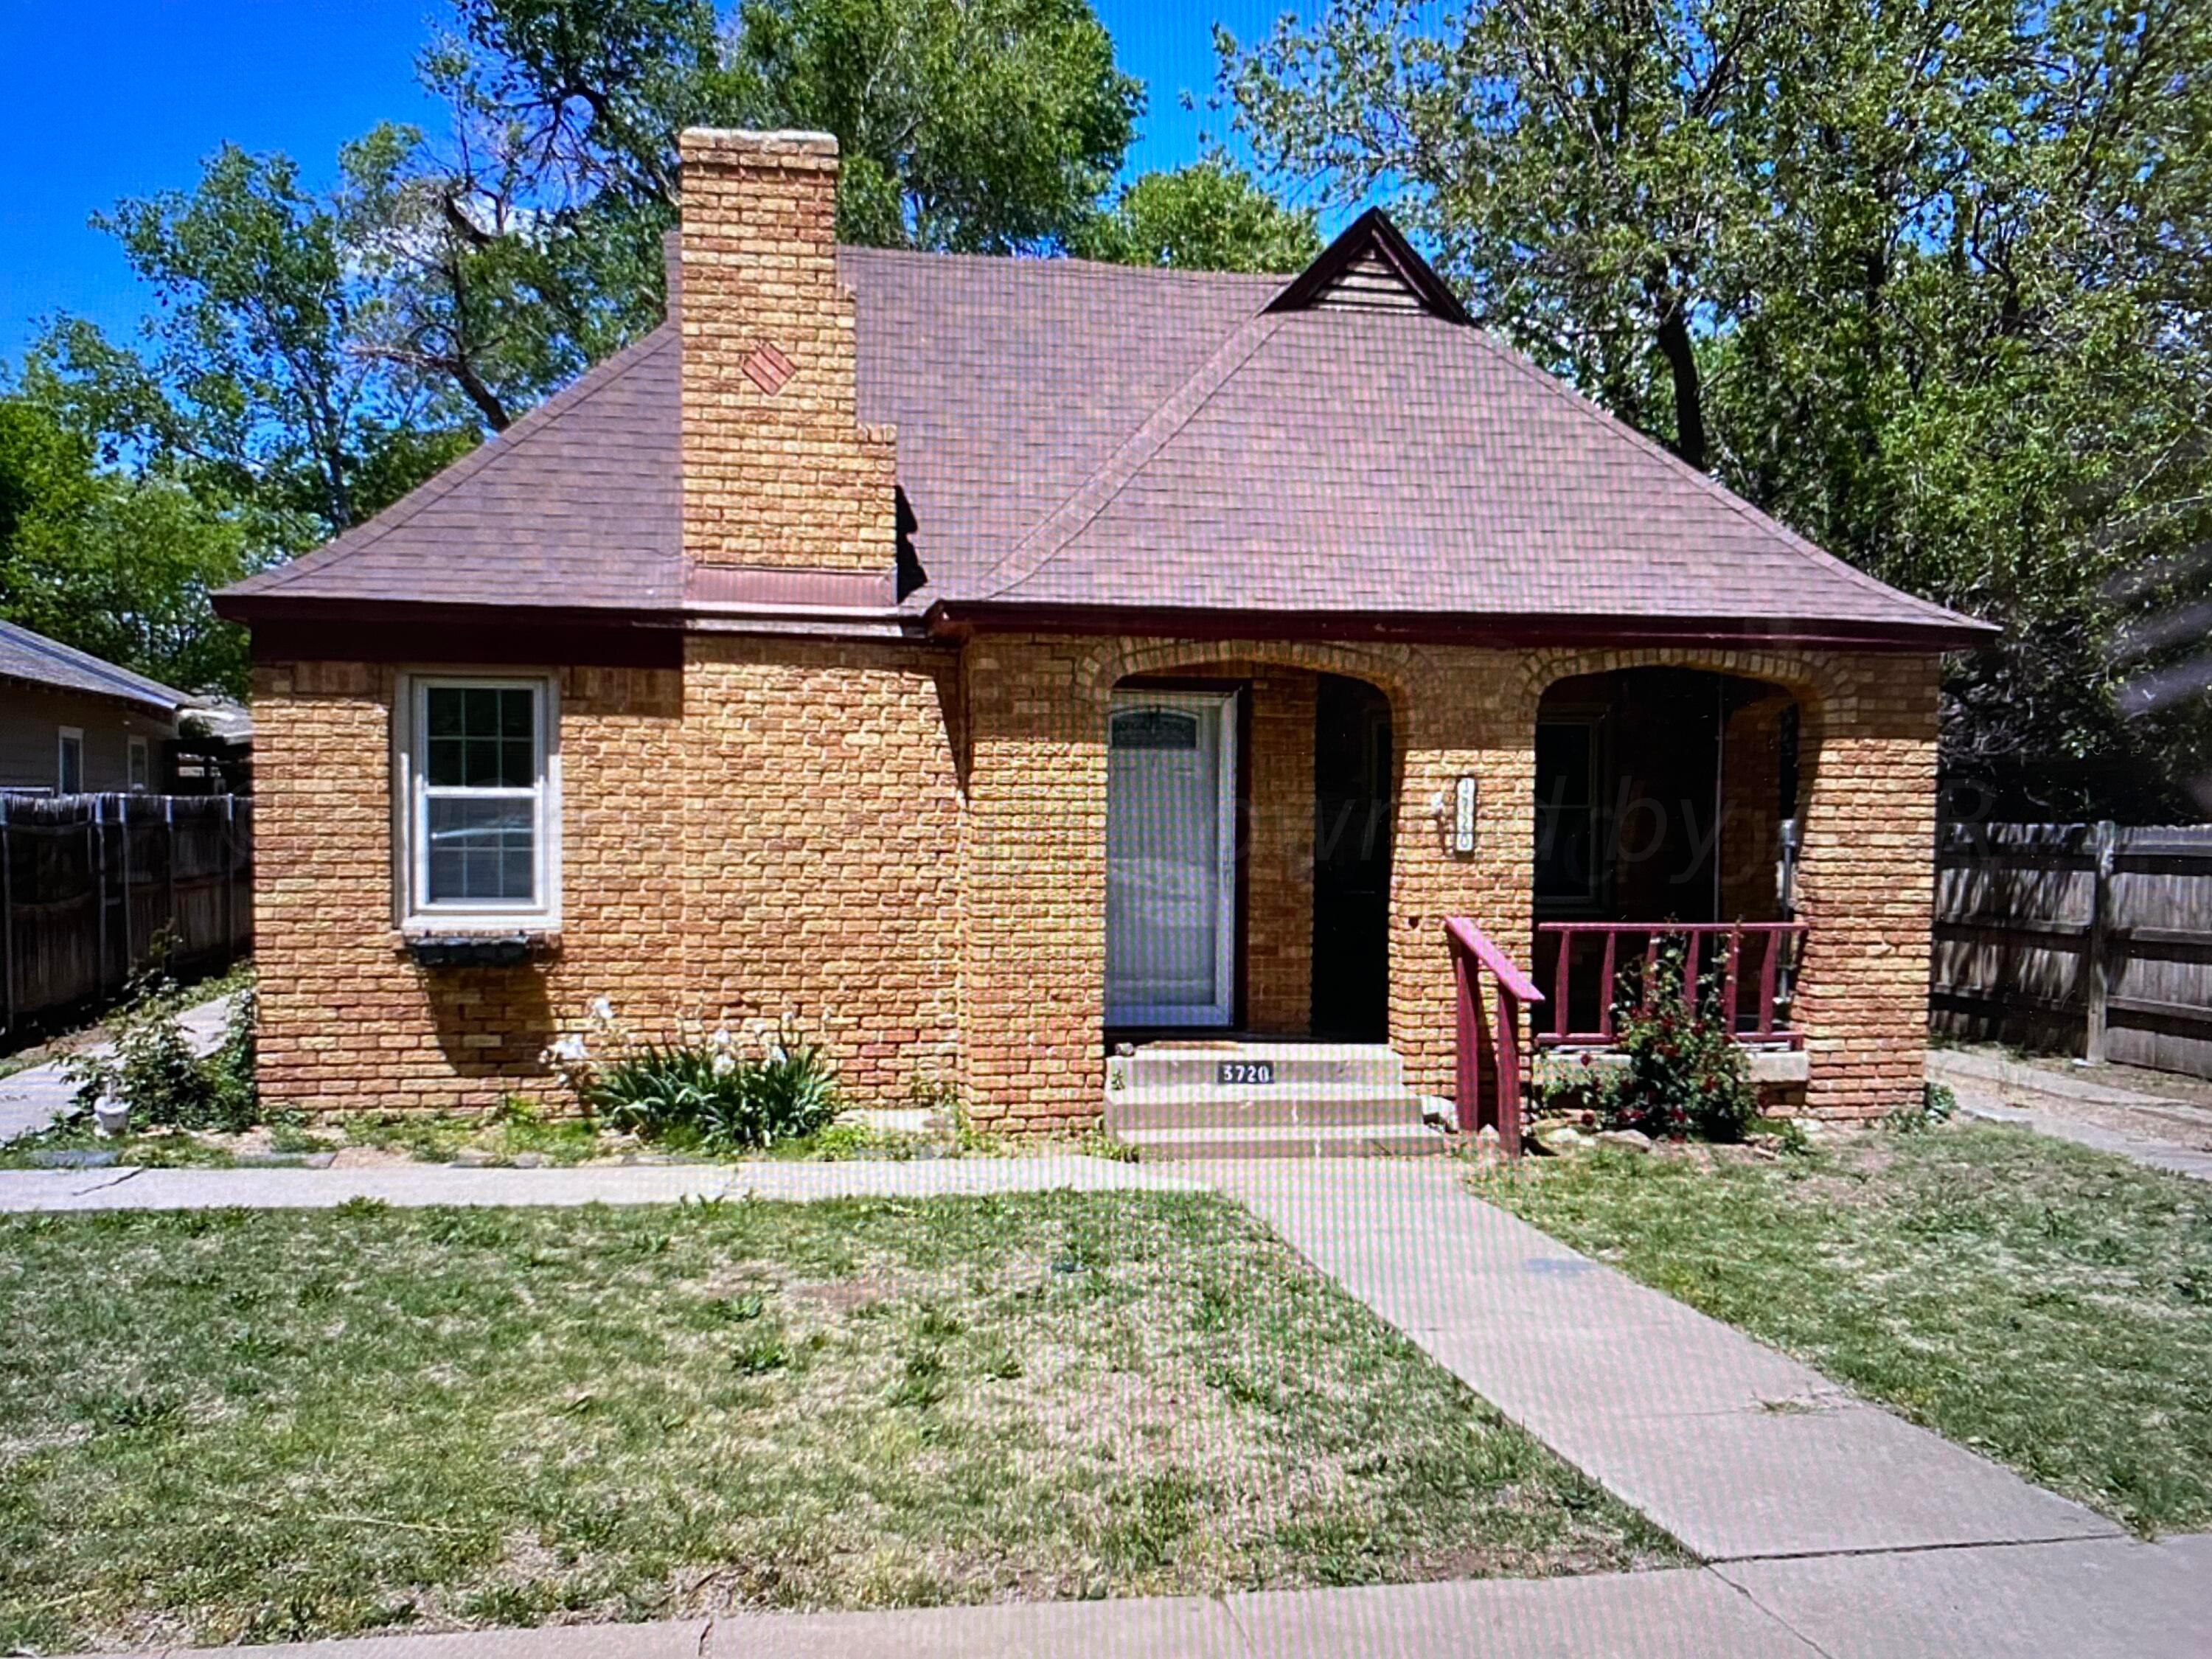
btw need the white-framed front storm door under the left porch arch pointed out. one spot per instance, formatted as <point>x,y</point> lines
<point>1171,859</point>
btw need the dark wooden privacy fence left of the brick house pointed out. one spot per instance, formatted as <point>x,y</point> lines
<point>94,884</point>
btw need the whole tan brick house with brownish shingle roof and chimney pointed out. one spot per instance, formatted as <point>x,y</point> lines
<point>997,660</point>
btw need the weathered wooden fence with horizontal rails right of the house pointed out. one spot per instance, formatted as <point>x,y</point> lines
<point>2080,939</point>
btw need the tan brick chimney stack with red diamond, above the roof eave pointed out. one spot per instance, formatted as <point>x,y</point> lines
<point>780,474</point>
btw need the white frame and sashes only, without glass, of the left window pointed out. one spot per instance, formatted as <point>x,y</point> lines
<point>410,808</point>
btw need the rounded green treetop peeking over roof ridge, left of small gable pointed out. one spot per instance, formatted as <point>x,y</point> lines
<point>1207,216</point>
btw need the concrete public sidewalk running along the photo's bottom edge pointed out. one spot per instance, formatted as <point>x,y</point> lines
<point>2103,1600</point>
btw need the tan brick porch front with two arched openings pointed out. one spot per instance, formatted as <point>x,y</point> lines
<point>1036,848</point>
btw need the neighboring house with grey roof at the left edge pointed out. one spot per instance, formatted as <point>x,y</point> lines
<point>74,724</point>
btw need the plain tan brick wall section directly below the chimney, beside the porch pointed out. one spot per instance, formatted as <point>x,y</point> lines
<point>822,848</point>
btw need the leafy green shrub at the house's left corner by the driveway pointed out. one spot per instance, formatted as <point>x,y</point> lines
<point>156,1074</point>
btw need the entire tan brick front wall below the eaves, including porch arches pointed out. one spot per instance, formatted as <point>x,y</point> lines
<point>906,851</point>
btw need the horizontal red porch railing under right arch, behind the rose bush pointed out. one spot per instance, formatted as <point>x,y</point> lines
<point>1738,968</point>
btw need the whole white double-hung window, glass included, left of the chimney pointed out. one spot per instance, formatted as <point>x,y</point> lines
<point>481,804</point>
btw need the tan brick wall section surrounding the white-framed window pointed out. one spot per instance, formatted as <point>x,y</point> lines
<point>348,1021</point>
